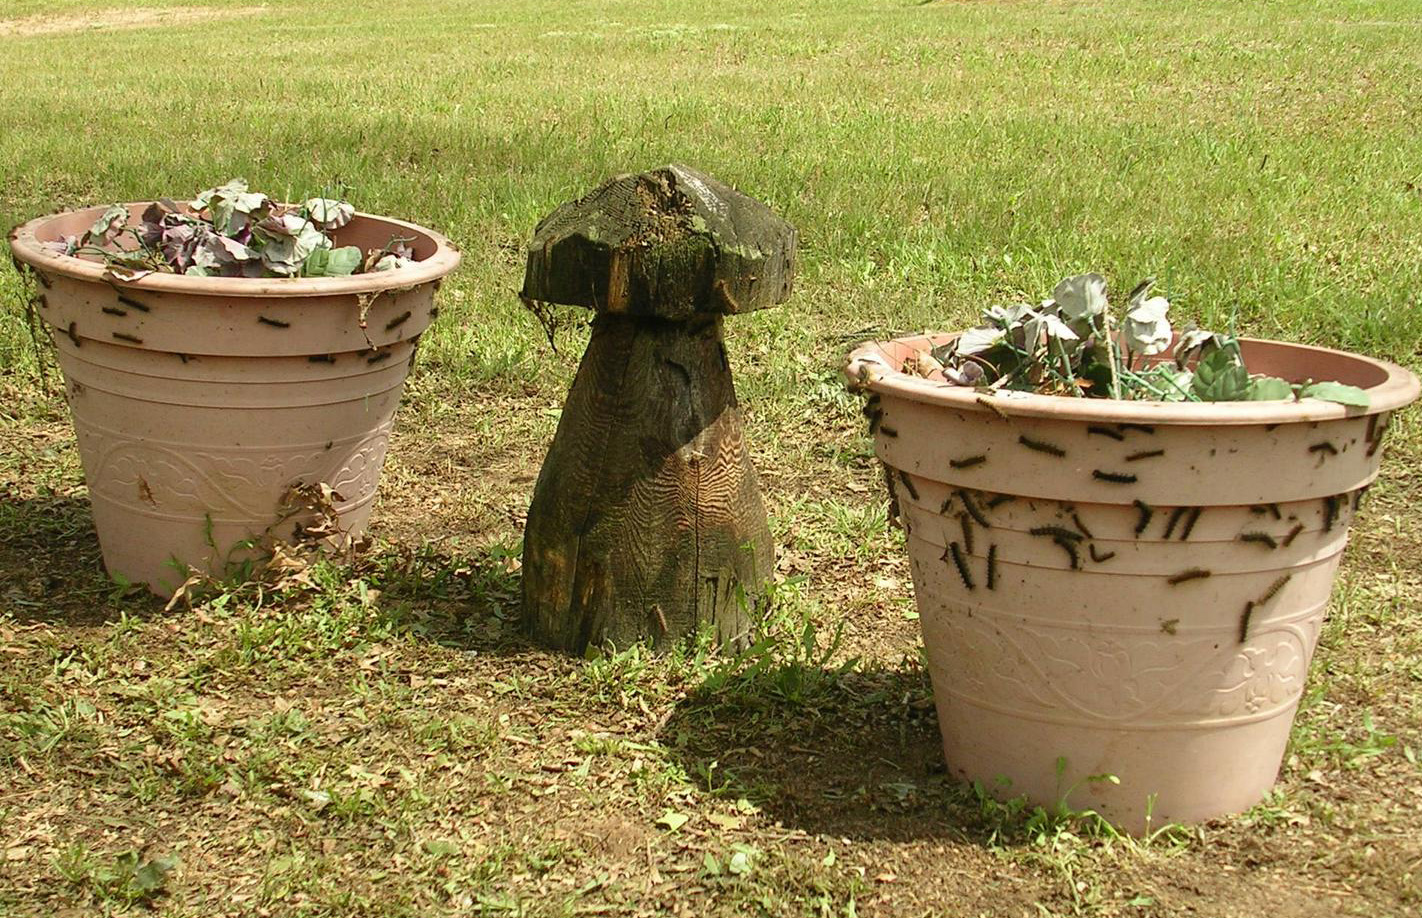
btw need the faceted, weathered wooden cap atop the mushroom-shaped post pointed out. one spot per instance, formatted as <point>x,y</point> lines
<point>669,244</point>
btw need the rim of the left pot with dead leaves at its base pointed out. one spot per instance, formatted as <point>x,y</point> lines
<point>25,245</point>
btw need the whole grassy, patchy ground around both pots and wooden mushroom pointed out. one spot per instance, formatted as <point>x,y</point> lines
<point>380,741</point>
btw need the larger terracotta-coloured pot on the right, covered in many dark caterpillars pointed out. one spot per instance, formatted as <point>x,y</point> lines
<point>1127,589</point>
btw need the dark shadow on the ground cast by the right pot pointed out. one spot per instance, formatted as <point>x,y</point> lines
<point>851,755</point>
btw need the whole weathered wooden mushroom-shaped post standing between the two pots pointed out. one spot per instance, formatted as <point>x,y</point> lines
<point>648,519</point>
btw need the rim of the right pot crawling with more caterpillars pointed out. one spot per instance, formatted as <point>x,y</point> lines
<point>870,367</point>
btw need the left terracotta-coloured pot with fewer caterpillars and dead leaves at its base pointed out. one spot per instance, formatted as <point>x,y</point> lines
<point>201,401</point>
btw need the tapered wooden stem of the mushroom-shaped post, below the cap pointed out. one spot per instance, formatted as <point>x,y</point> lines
<point>648,519</point>
